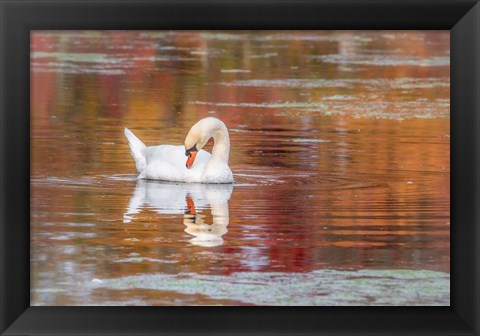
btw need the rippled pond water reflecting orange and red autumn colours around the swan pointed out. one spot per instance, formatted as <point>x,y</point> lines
<point>340,149</point>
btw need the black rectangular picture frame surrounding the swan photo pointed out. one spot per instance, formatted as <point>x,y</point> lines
<point>18,17</point>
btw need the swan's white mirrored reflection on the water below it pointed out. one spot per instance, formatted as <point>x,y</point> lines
<point>187,199</point>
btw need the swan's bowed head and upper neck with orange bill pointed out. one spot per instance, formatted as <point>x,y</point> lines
<point>199,135</point>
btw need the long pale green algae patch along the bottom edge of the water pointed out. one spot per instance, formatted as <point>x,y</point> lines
<point>317,288</point>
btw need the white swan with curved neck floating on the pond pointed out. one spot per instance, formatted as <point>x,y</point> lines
<point>167,162</point>
